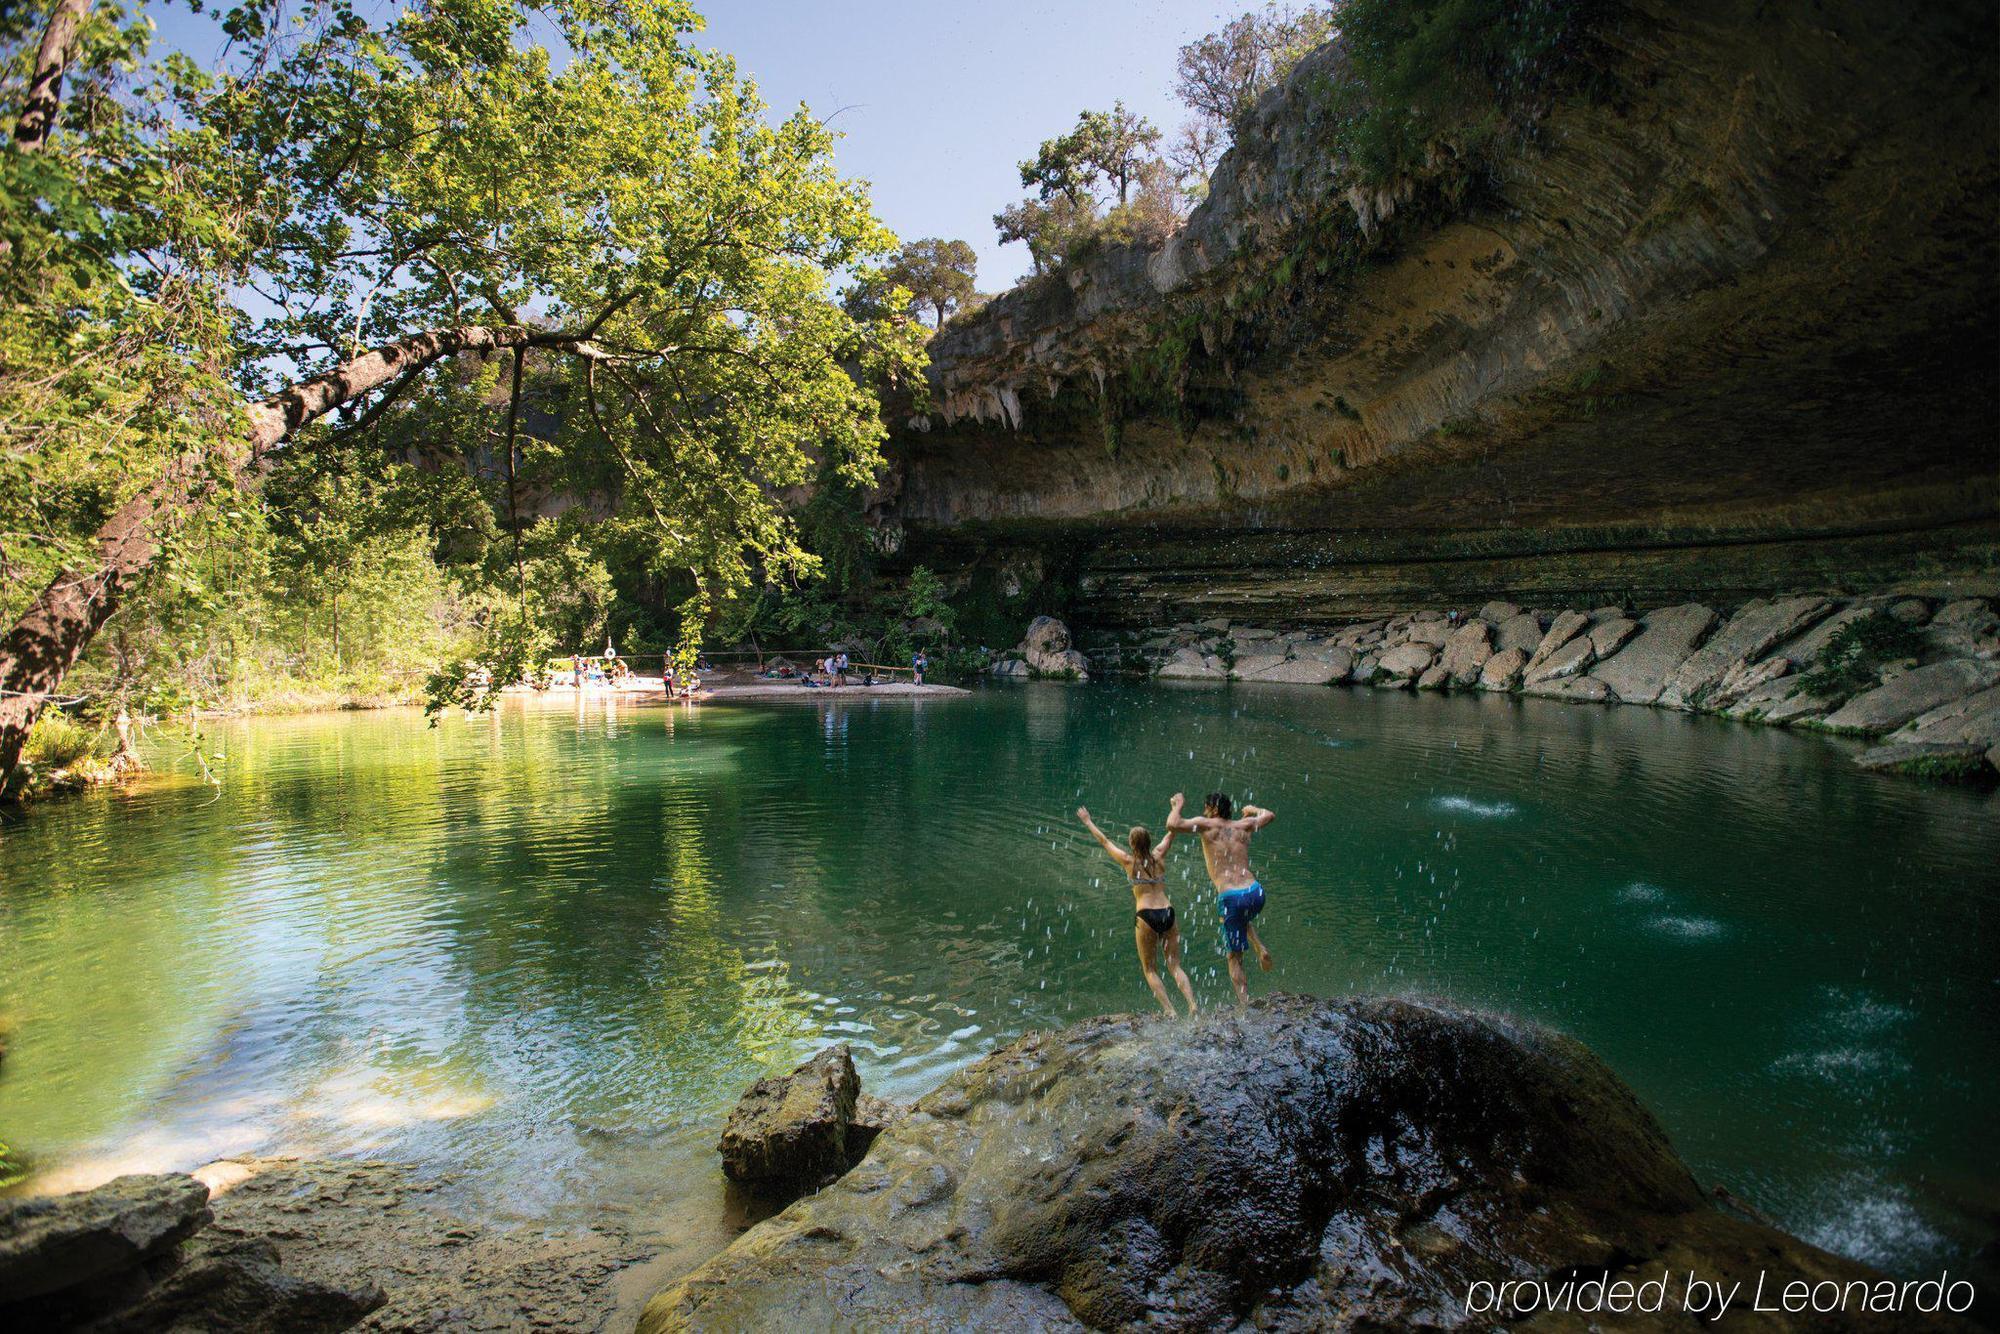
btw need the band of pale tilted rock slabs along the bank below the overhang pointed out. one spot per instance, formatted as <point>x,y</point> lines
<point>1921,677</point>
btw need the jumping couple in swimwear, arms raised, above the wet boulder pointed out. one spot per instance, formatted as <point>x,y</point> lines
<point>1225,837</point>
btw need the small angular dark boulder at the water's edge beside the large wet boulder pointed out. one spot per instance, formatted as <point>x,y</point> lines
<point>791,1131</point>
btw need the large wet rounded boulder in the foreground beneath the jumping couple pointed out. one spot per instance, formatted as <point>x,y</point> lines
<point>1301,1165</point>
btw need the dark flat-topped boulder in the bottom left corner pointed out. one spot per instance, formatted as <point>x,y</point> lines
<point>53,1243</point>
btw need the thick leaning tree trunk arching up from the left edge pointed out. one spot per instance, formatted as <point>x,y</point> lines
<point>59,627</point>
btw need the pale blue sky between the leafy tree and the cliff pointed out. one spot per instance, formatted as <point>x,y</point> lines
<point>945,97</point>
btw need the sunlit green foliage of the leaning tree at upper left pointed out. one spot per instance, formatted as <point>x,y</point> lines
<point>431,183</point>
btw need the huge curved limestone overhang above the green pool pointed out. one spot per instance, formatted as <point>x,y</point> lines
<point>1709,323</point>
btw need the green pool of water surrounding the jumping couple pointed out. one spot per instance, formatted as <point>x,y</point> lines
<point>543,951</point>
